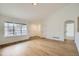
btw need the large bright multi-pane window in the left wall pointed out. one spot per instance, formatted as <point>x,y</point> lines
<point>15,29</point>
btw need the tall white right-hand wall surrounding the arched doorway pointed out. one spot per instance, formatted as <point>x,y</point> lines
<point>54,24</point>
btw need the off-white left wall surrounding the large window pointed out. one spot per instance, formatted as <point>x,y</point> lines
<point>3,39</point>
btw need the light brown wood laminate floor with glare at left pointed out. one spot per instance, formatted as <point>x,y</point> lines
<point>40,47</point>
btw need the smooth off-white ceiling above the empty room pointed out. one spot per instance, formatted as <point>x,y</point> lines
<point>29,11</point>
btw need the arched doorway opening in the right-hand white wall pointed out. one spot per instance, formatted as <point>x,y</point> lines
<point>69,30</point>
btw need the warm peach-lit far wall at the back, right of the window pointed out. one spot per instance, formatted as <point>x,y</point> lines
<point>35,28</point>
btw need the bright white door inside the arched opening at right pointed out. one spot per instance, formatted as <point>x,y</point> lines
<point>69,30</point>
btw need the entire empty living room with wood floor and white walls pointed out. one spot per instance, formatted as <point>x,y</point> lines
<point>39,29</point>
